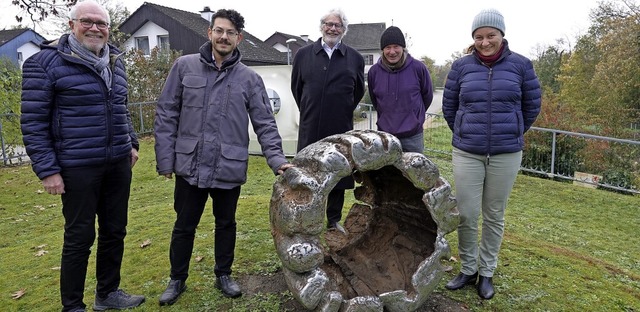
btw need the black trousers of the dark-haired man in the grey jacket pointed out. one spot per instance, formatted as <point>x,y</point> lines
<point>189,202</point>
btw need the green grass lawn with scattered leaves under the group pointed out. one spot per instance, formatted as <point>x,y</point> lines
<point>566,248</point>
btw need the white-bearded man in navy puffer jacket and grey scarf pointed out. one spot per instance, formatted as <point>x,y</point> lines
<point>77,131</point>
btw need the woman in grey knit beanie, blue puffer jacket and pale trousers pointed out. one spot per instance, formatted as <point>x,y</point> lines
<point>492,97</point>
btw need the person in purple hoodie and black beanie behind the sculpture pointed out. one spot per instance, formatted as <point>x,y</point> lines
<point>401,91</point>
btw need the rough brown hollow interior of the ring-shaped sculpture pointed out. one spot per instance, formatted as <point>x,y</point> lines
<point>389,233</point>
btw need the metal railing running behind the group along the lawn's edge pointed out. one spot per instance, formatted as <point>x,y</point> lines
<point>595,160</point>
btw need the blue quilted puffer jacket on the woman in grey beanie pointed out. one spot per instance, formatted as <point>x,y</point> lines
<point>490,108</point>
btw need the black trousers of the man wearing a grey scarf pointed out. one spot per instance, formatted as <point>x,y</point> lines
<point>89,192</point>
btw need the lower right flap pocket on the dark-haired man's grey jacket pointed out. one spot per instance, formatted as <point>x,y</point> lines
<point>233,164</point>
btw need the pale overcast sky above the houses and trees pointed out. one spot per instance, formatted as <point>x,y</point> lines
<point>436,30</point>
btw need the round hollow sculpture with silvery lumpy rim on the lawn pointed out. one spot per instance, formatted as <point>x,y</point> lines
<point>389,259</point>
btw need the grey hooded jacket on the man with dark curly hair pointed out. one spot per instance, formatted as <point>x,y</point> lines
<point>202,121</point>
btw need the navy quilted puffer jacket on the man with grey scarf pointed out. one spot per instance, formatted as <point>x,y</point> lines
<point>69,117</point>
